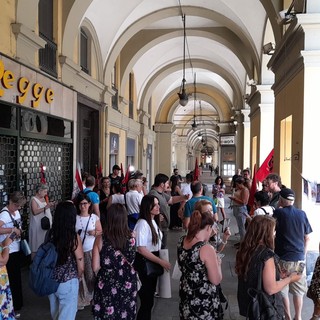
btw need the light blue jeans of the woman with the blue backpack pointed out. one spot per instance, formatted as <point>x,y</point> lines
<point>64,302</point>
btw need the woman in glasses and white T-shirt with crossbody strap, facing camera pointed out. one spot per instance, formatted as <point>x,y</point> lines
<point>88,226</point>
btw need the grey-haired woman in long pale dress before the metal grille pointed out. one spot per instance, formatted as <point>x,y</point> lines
<point>39,208</point>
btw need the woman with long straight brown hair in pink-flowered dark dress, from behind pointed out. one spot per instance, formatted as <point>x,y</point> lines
<point>115,292</point>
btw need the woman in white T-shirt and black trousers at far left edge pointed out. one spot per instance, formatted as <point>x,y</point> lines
<point>10,222</point>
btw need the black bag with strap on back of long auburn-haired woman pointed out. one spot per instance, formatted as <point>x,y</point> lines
<point>261,307</point>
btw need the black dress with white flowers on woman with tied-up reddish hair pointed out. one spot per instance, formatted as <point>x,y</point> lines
<point>199,298</point>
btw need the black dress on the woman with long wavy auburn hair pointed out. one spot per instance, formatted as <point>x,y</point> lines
<point>261,255</point>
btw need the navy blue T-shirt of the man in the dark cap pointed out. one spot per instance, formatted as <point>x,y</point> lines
<point>292,226</point>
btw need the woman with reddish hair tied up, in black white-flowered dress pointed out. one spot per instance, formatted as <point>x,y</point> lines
<point>201,270</point>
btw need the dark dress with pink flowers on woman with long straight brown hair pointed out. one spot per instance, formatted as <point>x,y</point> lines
<point>115,293</point>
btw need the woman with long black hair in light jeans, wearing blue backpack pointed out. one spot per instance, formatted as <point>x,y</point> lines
<point>70,265</point>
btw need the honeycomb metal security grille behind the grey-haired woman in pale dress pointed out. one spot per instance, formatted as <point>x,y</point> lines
<point>56,157</point>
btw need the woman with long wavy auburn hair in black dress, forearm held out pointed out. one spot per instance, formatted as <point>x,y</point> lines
<point>255,250</point>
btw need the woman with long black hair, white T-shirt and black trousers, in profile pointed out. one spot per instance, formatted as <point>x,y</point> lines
<point>148,238</point>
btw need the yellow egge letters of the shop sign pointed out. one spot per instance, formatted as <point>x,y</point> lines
<point>24,86</point>
